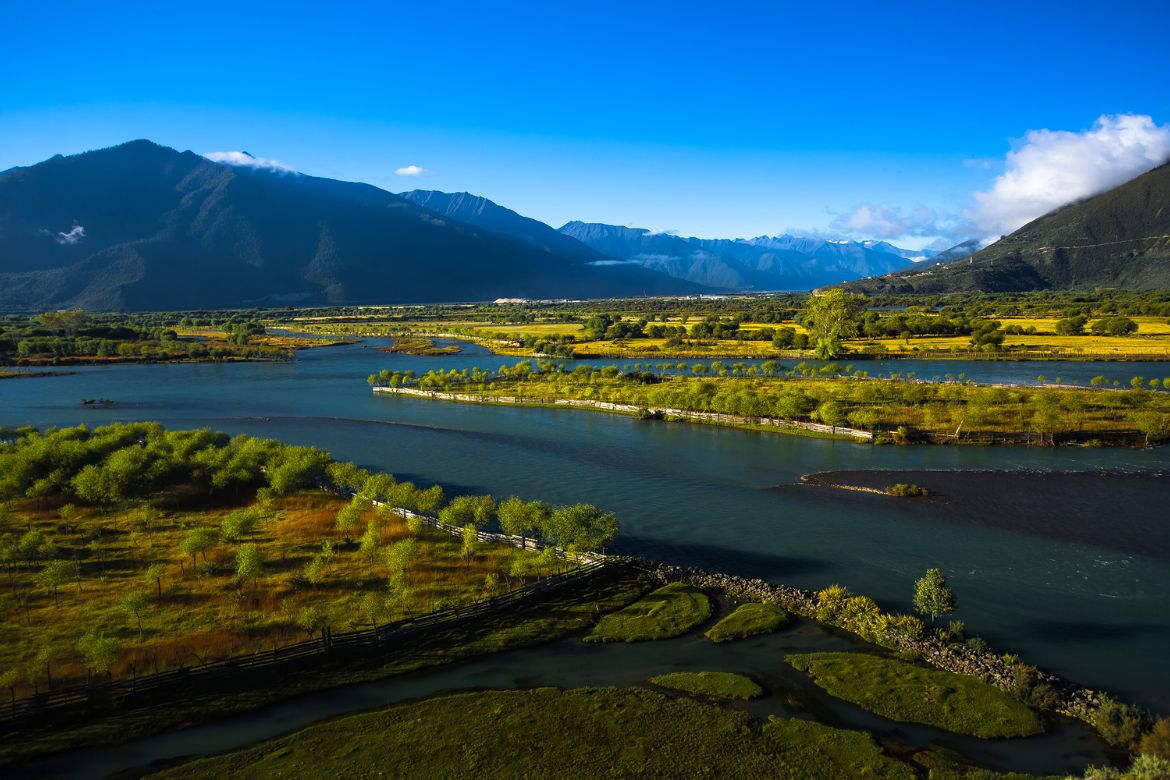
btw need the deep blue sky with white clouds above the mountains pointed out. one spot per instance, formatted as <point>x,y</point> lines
<point>923,125</point>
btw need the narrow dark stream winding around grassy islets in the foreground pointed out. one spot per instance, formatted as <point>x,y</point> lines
<point>1068,747</point>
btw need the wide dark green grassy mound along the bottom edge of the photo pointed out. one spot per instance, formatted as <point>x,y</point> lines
<point>552,734</point>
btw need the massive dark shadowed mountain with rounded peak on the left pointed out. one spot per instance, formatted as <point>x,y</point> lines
<point>146,227</point>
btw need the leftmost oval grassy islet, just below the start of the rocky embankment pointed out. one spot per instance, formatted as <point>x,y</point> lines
<point>671,611</point>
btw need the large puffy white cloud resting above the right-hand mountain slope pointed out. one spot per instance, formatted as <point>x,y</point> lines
<point>1054,168</point>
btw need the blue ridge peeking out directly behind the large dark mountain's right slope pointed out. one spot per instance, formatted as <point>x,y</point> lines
<point>487,215</point>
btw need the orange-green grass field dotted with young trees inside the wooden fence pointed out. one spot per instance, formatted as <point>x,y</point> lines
<point>199,611</point>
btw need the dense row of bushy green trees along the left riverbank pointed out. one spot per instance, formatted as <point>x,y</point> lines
<point>123,463</point>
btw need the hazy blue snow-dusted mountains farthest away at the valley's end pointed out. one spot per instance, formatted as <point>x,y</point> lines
<point>762,264</point>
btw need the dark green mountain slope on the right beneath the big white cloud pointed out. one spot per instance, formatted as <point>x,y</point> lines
<point>1120,239</point>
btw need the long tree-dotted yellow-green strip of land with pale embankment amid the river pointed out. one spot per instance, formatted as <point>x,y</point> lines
<point>899,410</point>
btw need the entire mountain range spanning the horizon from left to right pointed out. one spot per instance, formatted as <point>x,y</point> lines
<point>146,227</point>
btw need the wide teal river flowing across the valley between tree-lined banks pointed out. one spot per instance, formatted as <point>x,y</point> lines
<point>1062,556</point>
